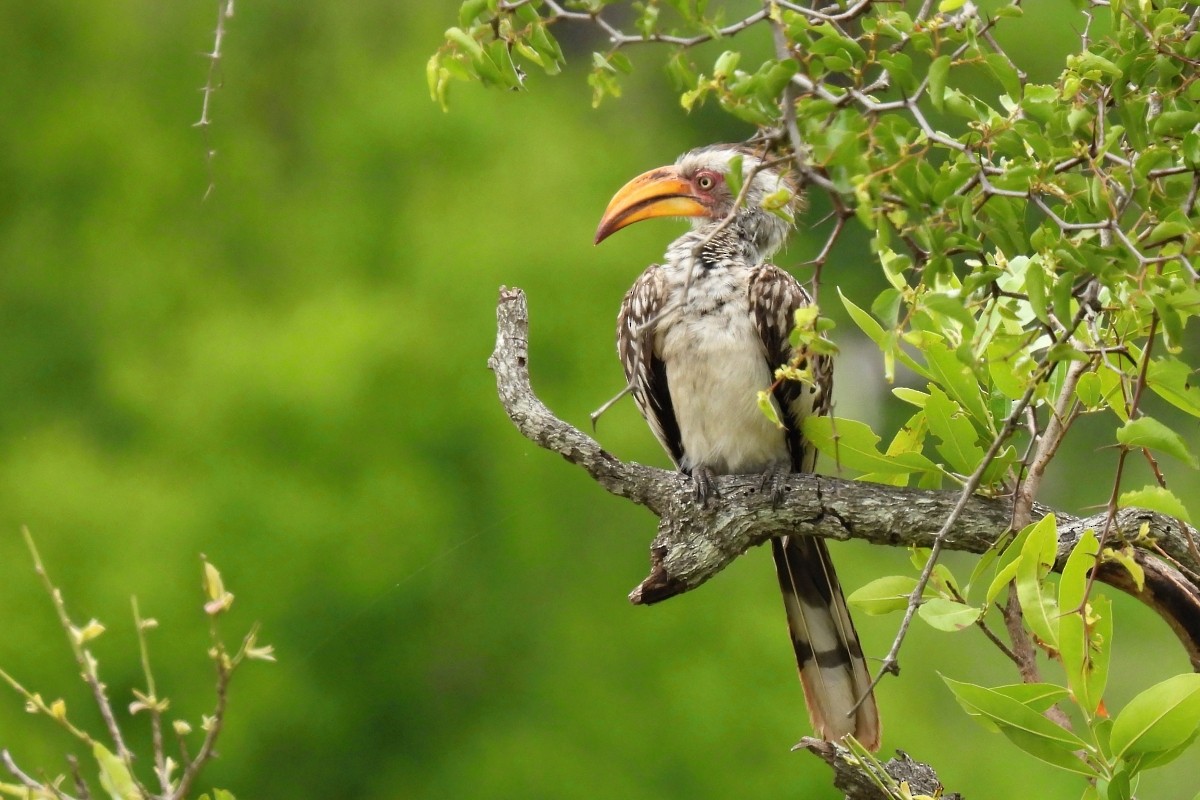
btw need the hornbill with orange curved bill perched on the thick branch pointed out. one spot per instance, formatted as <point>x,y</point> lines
<point>699,336</point>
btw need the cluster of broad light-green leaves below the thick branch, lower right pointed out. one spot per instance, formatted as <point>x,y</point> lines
<point>1075,629</point>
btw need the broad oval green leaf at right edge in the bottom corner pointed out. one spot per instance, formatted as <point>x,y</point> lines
<point>1159,719</point>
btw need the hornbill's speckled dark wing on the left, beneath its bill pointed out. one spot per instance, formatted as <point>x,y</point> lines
<point>645,371</point>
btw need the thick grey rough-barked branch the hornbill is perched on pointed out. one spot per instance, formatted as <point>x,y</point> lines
<point>697,542</point>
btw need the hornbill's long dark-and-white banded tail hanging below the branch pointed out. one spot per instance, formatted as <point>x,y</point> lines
<point>833,671</point>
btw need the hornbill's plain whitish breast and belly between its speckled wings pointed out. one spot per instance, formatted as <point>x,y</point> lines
<point>716,366</point>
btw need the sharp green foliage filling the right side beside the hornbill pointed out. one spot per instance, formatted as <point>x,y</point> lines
<point>1037,232</point>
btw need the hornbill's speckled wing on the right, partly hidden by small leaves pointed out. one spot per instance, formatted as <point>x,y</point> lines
<point>775,298</point>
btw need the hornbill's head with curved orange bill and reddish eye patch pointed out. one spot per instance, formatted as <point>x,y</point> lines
<point>698,187</point>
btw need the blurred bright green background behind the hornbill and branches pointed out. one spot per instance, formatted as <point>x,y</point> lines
<point>290,378</point>
